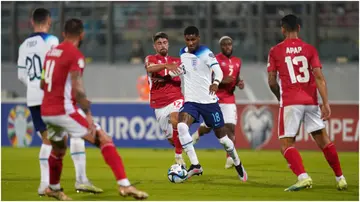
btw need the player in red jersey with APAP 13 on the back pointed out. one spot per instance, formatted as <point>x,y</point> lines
<point>298,66</point>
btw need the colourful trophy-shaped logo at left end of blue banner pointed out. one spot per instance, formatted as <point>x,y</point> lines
<point>20,126</point>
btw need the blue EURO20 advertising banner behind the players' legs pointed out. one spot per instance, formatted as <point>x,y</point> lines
<point>129,124</point>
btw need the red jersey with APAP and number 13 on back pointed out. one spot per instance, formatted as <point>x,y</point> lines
<point>294,61</point>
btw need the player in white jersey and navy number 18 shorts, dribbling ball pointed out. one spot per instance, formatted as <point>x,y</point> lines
<point>198,63</point>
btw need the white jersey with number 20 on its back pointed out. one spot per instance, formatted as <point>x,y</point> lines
<point>30,62</point>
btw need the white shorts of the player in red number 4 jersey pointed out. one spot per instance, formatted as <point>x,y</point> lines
<point>74,124</point>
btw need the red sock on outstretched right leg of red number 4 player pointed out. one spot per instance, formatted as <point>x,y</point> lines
<point>113,159</point>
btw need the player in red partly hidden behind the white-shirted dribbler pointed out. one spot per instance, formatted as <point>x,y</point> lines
<point>230,66</point>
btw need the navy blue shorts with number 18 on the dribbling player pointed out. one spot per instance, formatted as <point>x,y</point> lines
<point>211,113</point>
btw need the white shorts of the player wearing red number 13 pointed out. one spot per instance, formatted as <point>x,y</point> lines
<point>290,118</point>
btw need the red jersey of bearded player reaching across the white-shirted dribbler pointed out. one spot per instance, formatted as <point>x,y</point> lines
<point>163,93</point>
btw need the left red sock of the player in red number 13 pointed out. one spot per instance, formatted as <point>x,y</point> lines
<point>294,160</point>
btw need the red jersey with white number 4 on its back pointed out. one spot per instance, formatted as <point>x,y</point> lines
<point>58,93</point>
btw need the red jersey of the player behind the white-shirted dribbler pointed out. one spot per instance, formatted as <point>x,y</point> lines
<point>230,67</point>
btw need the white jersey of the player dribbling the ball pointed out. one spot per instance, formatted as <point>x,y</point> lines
<point>197,77</point>
